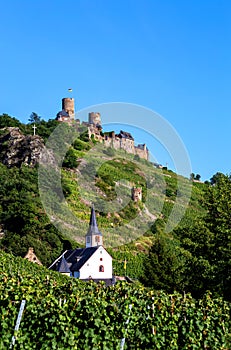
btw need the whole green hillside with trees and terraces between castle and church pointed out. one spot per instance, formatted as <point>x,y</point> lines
<point>176,238</point>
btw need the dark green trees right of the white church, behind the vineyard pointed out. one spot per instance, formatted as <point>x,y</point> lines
<point>206,244</point>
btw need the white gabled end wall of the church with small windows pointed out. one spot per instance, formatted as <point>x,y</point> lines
<point>91,267</point>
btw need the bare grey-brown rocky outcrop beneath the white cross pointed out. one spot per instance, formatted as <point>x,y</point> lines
<point>17,149</point>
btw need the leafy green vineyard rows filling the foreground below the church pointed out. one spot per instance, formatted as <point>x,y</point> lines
<point>65,313</point>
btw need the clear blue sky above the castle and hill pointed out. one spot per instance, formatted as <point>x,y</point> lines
<point>172,57</point>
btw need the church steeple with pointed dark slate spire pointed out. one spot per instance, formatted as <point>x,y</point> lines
<point>93,237</point>
